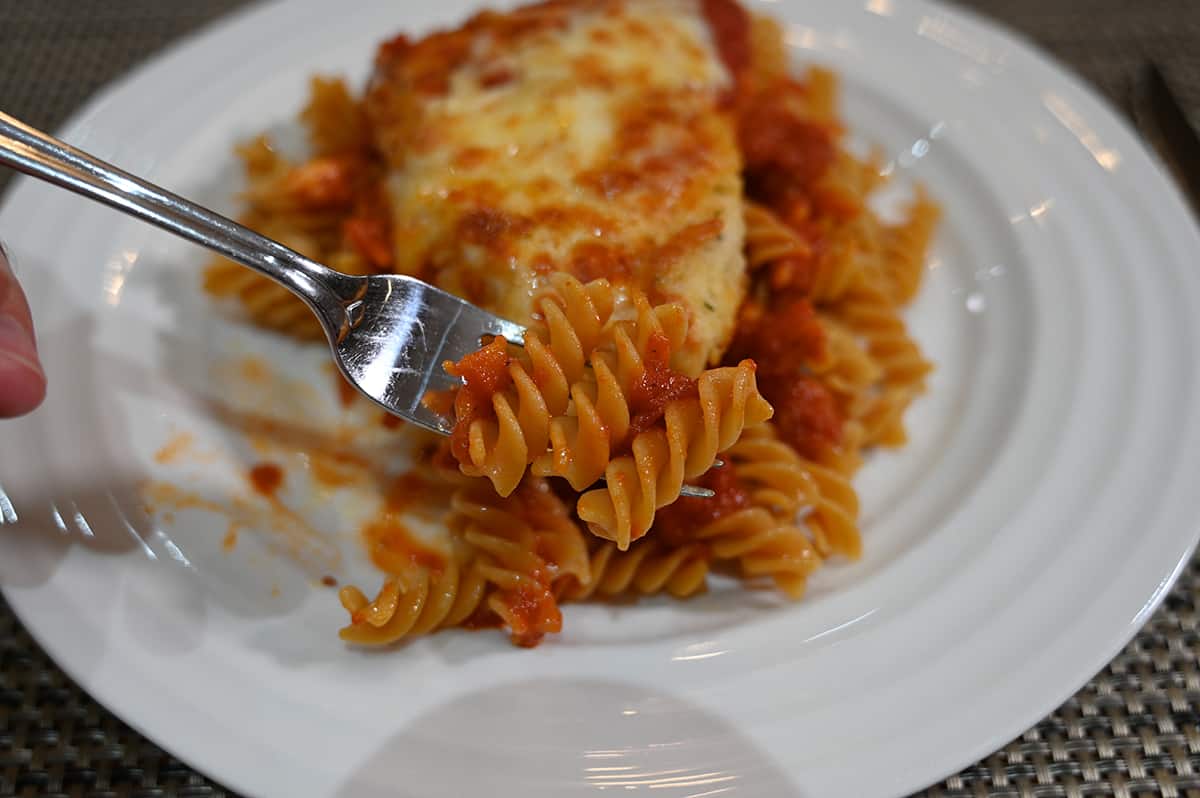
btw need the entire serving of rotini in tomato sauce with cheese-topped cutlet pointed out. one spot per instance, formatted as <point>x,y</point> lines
<point>631,277</point>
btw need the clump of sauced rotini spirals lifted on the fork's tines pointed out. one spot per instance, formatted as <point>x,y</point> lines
<point>589,387</point>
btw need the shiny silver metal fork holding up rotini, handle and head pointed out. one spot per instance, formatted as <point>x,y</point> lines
<point>389,334</point>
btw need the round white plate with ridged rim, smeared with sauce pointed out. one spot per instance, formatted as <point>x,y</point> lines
<point>1037,519</point>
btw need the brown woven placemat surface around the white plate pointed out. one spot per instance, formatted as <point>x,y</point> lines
<point>1135,730</point>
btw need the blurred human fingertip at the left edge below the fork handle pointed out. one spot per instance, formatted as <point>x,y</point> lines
<point>22,380</point>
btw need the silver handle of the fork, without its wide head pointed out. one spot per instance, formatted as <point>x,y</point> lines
<point>41,155</point>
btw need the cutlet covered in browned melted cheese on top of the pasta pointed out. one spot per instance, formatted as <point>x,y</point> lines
<point>584,136</point>
